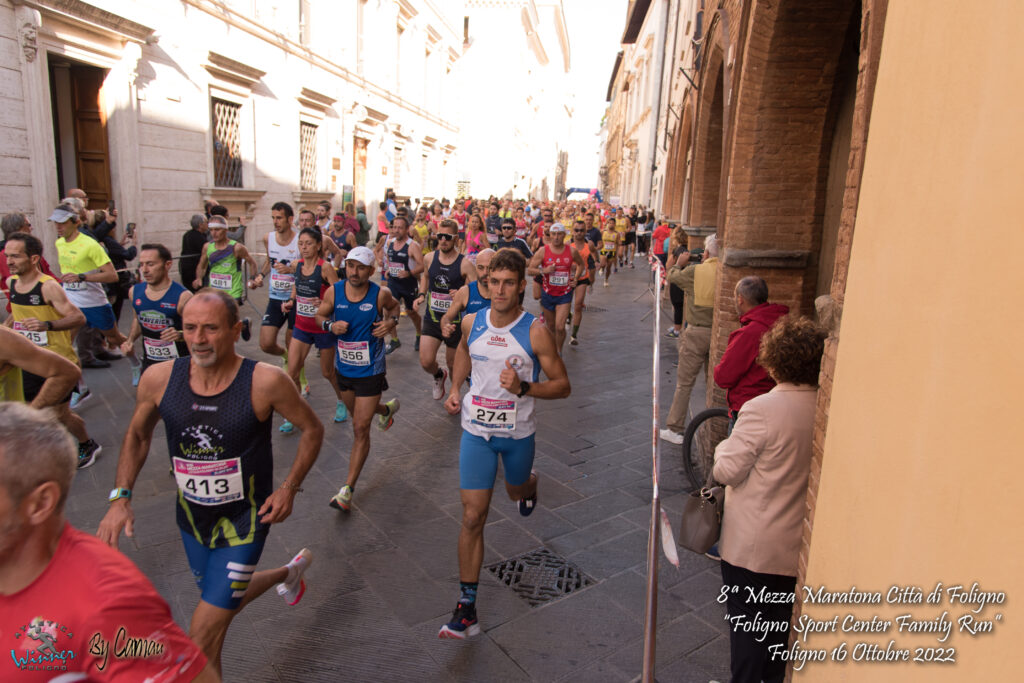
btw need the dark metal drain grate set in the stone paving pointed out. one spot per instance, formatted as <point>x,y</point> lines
<point>540,577</point>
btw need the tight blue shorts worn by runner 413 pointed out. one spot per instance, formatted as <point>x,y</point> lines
<point>223,574</point>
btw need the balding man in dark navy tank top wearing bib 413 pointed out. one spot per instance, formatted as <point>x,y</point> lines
<point>218,409</point>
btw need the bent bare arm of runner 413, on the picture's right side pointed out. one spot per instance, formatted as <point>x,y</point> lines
<point>274,387</point>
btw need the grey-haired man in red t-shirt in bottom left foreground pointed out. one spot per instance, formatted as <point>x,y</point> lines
<point>69,604</point>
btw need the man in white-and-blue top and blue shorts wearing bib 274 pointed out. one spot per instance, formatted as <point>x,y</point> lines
<point>506,349</point>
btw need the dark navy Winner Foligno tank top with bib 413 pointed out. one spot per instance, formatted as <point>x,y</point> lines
<point>222,458</point>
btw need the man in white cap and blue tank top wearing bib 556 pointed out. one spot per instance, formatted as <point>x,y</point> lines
<point>361,314</point>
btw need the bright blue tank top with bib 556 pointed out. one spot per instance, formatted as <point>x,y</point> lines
<point>359,354</point>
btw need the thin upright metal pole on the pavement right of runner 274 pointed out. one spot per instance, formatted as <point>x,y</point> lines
<point>651,608</point>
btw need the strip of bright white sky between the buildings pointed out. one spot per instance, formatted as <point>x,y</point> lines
<point>595,28</point>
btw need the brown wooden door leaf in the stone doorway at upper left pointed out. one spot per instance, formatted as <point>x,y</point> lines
<point>91,135</point>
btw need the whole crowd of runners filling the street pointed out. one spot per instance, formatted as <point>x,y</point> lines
<point>459,273</point>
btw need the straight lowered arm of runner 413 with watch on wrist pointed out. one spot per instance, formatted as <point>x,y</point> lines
<point>135,450</point>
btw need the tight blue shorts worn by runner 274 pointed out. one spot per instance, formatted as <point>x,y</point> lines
<point>479,460</point>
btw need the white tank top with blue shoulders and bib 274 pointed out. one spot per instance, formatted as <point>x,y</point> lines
<point>489,410</point>
